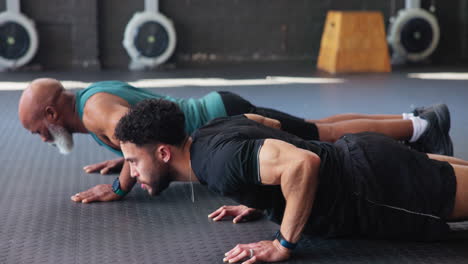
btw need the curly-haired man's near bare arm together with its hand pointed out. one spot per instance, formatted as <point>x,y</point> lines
<point>296,170</point>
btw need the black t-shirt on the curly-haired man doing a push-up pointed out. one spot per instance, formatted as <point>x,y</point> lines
<point>224,156</point>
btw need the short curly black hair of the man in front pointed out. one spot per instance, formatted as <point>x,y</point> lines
<point>152,121</point>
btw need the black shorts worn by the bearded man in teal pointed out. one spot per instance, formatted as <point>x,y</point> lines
<point>236,105</point>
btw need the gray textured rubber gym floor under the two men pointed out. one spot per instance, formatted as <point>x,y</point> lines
<point>40,224</point>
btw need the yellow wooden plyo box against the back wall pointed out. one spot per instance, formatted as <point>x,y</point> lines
<point>354,41</point>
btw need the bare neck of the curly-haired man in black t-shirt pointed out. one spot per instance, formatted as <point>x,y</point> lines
<point>181,164</point>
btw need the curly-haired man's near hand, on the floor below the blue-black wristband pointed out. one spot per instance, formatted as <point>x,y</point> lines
<point>263,251</point>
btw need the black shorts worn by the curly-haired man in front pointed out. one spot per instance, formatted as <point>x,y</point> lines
<point>391,191</point>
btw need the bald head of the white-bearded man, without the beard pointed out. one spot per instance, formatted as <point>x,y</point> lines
<point>40,94</point>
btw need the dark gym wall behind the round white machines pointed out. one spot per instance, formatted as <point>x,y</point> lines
<point>88,34</point>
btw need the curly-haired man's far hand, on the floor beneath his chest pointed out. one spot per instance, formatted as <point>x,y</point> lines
<point>241,213</point>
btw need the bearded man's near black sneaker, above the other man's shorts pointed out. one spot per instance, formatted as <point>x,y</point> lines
<point>436,138</point>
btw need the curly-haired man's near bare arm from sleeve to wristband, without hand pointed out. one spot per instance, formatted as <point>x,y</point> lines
<point>296,170</point>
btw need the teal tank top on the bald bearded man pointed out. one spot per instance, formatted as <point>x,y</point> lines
<point>197,111</point>
